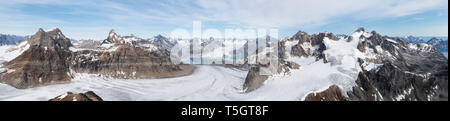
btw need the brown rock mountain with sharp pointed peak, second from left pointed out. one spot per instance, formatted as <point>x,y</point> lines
<point>128,57</point>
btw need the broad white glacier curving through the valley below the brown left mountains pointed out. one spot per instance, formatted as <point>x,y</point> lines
<point>206,83</point>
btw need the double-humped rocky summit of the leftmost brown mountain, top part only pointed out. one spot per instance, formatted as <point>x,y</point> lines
<point>52,39</point>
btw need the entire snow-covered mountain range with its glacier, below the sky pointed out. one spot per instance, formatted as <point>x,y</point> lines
<point>363,66</point>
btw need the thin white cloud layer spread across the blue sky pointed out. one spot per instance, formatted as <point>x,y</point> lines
<point>244,13</point>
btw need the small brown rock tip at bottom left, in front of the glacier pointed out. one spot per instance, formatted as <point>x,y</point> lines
<point>69,96</point>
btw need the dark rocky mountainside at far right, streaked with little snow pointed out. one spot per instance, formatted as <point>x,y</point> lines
<point>408,73</point>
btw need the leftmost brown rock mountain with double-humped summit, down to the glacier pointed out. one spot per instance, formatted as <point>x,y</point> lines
<point>45,62</point>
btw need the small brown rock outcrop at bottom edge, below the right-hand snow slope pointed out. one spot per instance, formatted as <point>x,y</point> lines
<point>333,93</point>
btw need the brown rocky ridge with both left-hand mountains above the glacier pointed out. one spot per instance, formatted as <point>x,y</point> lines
<point>51,58</point>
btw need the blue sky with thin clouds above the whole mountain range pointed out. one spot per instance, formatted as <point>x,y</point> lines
<point>92,19</point>
